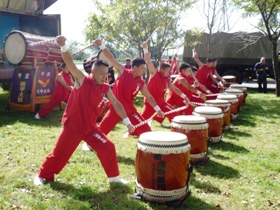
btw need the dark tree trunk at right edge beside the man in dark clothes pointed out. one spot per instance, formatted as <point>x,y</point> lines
<point>275,65</point>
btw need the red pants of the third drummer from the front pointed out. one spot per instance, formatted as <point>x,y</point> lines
<point>148,111</point>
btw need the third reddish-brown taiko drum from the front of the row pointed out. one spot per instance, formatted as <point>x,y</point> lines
<point>215,119</point>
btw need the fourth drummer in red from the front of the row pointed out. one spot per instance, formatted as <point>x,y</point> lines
<point>184,82</point>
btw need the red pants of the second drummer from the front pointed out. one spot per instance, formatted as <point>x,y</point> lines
<point>111,118</point>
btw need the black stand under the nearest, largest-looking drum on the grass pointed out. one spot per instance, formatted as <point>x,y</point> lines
<point>172,203</point>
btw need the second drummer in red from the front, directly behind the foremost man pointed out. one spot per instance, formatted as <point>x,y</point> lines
<point>127,86</point>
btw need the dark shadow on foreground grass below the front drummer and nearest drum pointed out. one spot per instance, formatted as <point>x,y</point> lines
<point>118,196</point>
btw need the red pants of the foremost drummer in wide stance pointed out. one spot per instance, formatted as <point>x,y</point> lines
<point>68,141</point>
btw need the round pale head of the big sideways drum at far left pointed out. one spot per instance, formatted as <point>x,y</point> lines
<point>15,47</point>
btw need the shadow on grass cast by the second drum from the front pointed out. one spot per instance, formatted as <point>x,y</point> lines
<point>213,168</point>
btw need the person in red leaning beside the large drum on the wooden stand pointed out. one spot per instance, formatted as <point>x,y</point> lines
<point>63,87</point>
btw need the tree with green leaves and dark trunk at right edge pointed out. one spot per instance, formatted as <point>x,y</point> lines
<point>269,11</point>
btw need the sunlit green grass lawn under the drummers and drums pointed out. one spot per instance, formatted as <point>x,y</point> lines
<point>242,173</point>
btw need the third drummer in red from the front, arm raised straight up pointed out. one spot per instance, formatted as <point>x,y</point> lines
<point>158,84</point>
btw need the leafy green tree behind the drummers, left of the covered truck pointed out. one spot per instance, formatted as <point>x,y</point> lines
<point>127,23</point>
